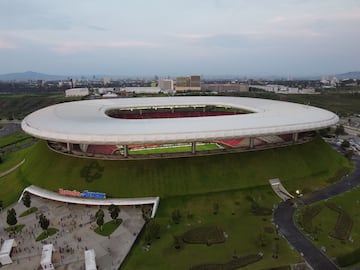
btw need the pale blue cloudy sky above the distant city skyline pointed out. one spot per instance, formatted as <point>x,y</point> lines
<point>180,37</point>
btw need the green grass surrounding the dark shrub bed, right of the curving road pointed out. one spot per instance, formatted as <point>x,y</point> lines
<point>326,220</point>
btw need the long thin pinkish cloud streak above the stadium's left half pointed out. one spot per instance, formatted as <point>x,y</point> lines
<point>70,47</point>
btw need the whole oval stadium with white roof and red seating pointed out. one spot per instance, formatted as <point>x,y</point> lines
<point>142,128</point>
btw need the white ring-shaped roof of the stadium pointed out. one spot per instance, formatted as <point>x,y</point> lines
<point>85,122</point>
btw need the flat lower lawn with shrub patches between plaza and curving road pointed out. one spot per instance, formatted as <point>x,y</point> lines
<point>234,217</point>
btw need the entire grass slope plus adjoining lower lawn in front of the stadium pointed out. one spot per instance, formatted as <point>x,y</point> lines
<point>192,185</point>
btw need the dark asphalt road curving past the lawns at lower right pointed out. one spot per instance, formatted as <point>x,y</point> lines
<point>283,218</point>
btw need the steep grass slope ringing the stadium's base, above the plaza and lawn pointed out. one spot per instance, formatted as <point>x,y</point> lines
<point>305,166</point>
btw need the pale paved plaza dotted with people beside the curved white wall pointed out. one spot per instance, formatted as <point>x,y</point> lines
<point>76,224</point>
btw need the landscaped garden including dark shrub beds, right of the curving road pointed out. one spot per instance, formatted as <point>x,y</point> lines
<point>334,226</point>
